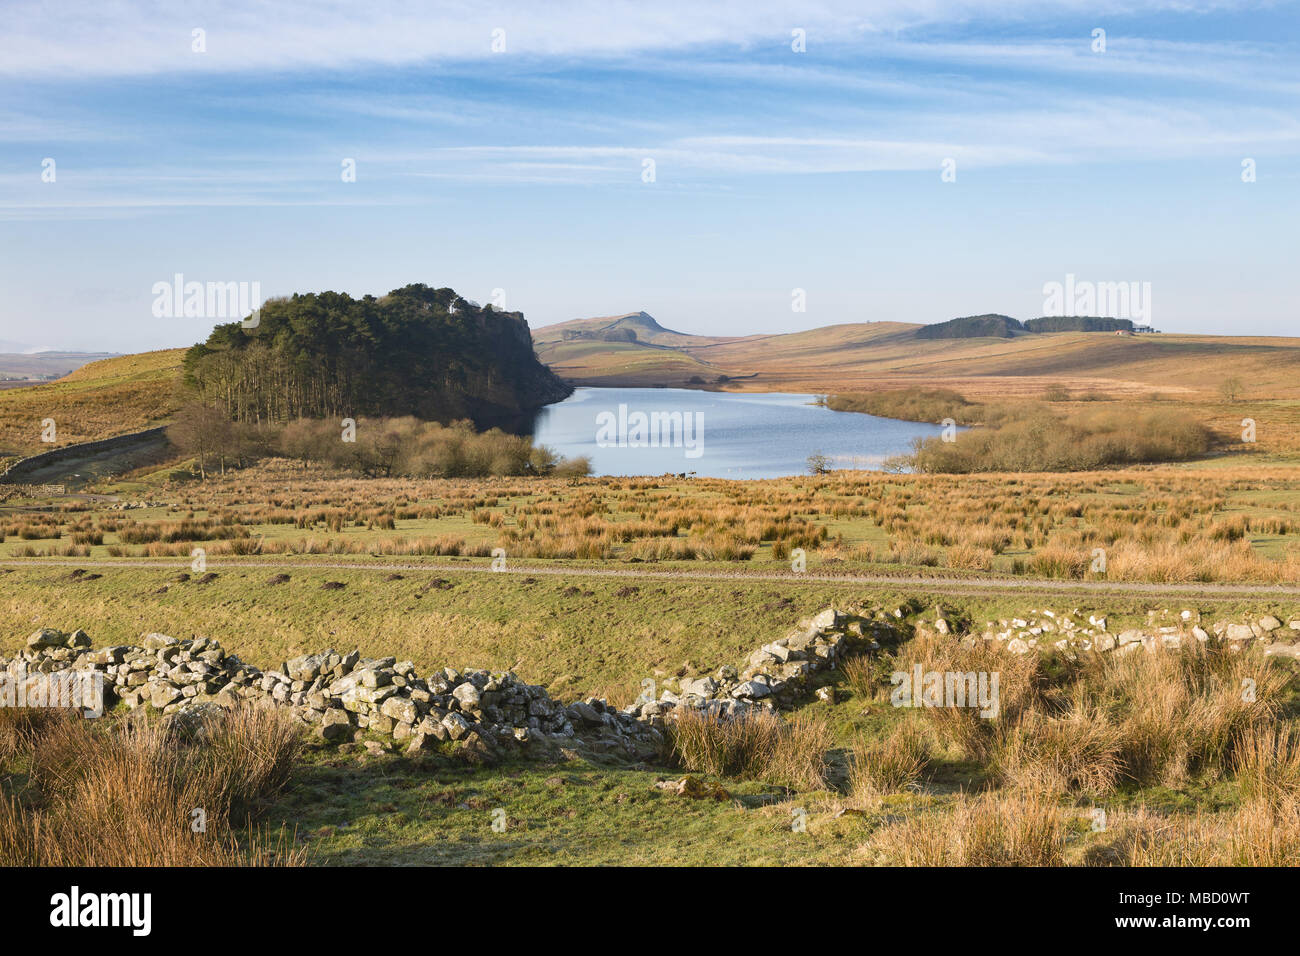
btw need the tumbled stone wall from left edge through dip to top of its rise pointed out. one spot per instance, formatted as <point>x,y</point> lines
<point>345,695</point>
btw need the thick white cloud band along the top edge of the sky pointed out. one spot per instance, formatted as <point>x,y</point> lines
<point>97,38</point>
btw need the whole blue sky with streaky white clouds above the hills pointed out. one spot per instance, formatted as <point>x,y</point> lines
<point>874,162</point>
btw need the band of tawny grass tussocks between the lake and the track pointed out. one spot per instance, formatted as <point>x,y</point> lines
<point>1154,525</point>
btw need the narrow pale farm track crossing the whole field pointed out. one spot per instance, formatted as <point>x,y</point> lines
<point>957,586</point>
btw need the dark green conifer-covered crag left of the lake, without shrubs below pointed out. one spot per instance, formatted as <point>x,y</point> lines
<point>419,352</point>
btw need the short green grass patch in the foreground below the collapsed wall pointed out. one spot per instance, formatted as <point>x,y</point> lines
<point>393,811</point>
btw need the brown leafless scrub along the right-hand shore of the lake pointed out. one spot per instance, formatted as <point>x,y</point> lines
<point>1032,436</point>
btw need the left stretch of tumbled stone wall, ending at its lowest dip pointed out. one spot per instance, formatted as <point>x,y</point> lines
<point>343,695</point>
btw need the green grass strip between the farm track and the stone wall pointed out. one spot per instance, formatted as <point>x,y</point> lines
<point>575,635</point>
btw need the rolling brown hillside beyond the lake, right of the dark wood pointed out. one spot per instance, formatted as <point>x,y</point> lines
<point>864,357</point>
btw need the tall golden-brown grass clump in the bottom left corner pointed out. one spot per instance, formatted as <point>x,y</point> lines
<point>124,791</point>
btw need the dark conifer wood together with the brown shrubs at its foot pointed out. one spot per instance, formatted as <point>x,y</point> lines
<point>417,373</point>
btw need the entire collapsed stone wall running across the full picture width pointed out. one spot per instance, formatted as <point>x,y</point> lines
<point>385,702</point>
